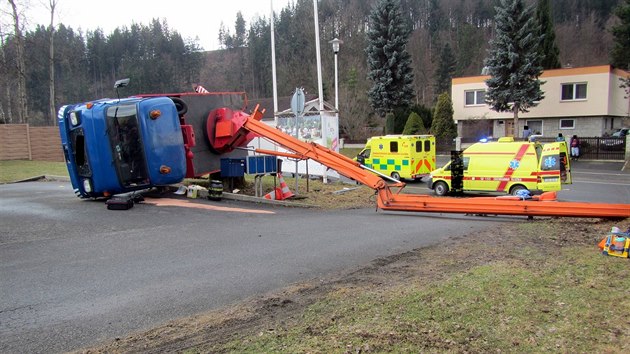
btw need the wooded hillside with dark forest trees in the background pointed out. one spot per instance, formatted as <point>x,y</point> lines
<point>447,38</point>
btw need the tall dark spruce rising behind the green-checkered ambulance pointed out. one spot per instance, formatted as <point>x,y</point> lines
<point>389,62</point>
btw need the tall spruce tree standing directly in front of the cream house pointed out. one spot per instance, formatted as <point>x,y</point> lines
<point>514,61</point>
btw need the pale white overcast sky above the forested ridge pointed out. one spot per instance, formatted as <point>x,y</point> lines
<point>191,18</point>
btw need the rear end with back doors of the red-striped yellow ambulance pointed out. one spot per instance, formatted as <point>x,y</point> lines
<point>554,168</point>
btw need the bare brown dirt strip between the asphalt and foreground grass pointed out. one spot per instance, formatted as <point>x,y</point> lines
<point>206,332</point>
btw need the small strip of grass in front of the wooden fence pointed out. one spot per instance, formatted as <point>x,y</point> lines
<point>15,170</point>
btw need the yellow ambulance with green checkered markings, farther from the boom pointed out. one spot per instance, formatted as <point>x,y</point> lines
<point>400,156</point>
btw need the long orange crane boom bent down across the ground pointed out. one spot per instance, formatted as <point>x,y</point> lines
<point>544,205</point>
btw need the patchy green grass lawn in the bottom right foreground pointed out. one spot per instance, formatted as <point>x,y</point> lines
<point>573,301</point>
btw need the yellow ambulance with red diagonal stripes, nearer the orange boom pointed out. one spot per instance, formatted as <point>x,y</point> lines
<point>508,166</point>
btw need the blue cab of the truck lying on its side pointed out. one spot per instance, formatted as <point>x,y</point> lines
<point>114,146</point>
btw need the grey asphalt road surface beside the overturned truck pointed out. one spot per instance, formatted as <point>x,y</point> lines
<point>73,273</point>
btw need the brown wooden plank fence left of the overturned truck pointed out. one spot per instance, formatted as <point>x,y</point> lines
<point>22,142</point>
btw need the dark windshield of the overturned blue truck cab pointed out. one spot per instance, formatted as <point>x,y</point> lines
<point>126,143</point>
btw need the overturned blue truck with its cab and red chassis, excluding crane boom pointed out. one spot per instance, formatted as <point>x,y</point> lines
<point>114,146</point>
